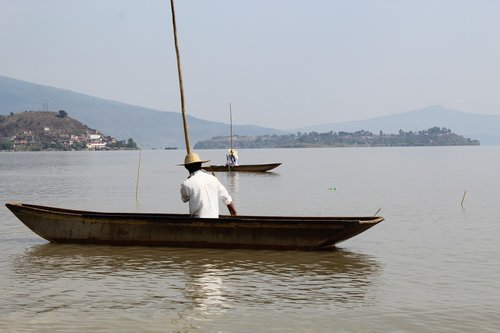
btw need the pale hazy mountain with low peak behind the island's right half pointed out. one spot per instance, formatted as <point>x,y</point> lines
<point>485,128</point>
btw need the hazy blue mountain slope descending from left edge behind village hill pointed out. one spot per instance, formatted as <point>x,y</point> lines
<point>149,128</point>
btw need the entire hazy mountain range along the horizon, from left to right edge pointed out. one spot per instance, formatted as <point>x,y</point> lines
<point>159,129</point>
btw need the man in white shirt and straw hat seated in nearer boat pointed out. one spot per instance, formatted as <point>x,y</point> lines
<point>203,190</point>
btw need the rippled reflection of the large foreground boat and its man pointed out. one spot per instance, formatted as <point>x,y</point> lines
<point>204,281</point>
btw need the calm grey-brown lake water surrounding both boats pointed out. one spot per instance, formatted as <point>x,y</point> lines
<point>431,266</point>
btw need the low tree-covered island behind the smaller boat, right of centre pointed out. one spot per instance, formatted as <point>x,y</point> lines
<point>435,136</point>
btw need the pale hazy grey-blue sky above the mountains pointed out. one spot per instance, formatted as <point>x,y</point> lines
<point>281,63</point>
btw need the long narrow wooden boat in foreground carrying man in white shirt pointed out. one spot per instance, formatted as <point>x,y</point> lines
<point>61,225</point>
